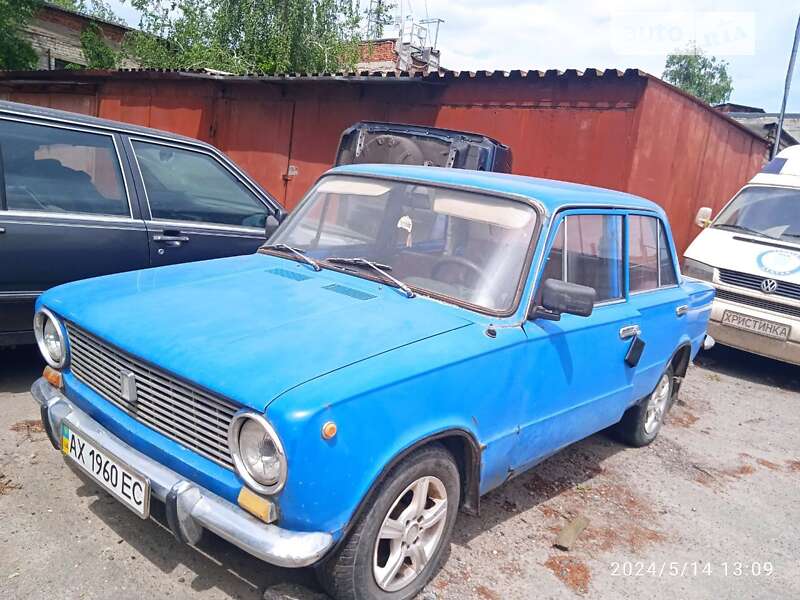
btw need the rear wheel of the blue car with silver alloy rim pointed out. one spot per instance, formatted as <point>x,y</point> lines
<point>639,426</point>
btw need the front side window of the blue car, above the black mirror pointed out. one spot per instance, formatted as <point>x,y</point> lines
<point>588,250</point>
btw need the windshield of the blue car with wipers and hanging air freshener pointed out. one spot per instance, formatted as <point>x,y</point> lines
<point>468,246</point>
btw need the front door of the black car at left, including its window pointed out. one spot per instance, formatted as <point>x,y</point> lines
<point>196,206</point>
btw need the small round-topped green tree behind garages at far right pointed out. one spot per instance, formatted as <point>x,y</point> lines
<point>703,76</point>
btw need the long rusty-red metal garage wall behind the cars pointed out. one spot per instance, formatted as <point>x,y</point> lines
<point>631,133</point>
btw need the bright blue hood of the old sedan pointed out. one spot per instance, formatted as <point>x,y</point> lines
<point>249,327</point>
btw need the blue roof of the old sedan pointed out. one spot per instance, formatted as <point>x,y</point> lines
<point>551,193</point>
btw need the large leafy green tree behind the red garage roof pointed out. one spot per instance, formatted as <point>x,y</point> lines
<point>243,36</point>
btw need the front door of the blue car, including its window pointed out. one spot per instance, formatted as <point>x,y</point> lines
<point>579,382</point>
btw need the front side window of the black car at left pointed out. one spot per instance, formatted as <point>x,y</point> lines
<point>183,185</point>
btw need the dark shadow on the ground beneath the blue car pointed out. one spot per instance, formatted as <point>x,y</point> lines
<point>215,563</point>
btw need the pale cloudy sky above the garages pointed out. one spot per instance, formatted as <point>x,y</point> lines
<point>580,34</point>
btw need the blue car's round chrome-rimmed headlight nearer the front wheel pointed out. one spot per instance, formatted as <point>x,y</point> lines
<point>257,452</point>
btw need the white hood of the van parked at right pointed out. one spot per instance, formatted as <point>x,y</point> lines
<point>746,253</point>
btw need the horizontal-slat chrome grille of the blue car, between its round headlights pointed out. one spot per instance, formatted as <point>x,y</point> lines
<point>179,411</point>
